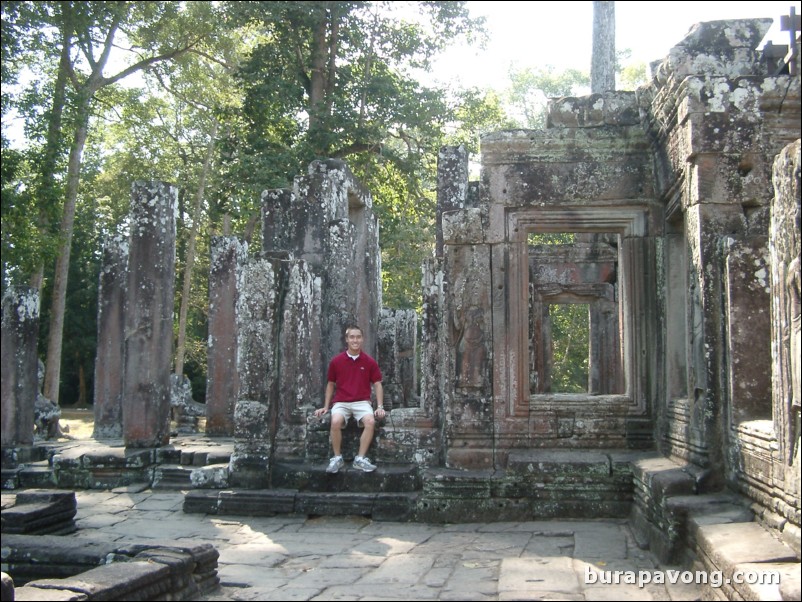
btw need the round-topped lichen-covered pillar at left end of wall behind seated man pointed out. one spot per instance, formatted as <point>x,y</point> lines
<point>254,414</point>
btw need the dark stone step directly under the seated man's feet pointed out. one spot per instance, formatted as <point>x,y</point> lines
<point>303,476</point>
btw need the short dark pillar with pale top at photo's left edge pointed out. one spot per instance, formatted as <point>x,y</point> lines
<point>20,330</point>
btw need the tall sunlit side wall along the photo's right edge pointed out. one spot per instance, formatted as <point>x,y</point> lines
<point>719,113</point>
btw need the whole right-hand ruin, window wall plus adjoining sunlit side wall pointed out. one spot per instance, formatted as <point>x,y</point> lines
<point>677,178</point>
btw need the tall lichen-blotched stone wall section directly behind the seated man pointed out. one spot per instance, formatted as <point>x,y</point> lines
<point>319,271</point>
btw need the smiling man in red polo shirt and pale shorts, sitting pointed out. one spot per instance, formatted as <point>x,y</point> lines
<point>350,376</point>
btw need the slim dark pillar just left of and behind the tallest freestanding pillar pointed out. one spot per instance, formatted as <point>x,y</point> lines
<point>109,361</point>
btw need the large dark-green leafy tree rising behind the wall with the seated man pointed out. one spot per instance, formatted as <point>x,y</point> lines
<point>337,79</point>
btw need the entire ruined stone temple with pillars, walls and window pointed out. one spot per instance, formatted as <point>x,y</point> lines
<point>683,199</point>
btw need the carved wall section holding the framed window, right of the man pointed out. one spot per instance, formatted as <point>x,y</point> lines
<point>590,173</point>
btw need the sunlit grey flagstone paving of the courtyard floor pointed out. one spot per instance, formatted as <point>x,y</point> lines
<point>353,558</point>
